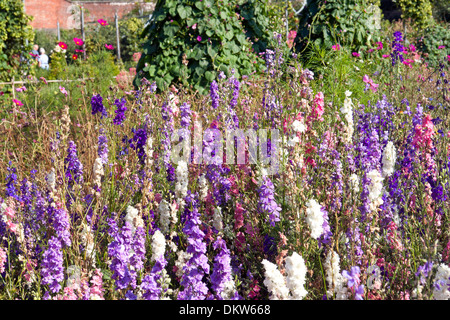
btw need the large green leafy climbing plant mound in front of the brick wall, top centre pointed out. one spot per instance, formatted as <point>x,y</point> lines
<point>190,42</point>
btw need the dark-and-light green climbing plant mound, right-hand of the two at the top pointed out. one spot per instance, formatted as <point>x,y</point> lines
<point>348,22</point>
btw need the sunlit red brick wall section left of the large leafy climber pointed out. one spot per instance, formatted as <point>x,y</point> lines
<point>47,13</point>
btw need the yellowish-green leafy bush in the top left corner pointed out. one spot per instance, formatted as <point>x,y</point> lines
<point>14,30</point>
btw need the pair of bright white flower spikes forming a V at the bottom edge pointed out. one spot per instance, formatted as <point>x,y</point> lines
<point>293,286</point>
